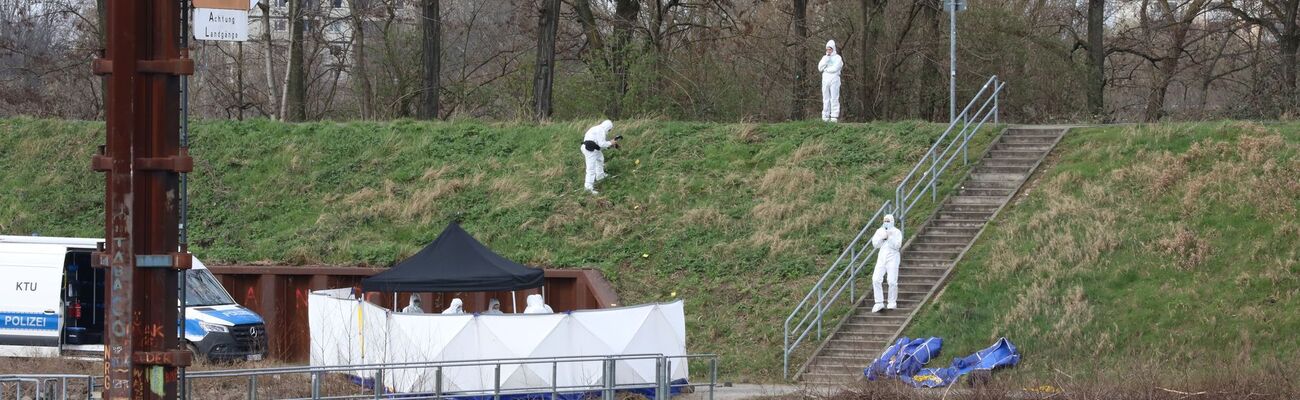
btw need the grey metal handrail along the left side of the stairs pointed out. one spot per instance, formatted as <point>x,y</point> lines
<point>809,314</point>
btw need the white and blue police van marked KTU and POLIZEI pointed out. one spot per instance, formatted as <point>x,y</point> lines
<point>53,305</point>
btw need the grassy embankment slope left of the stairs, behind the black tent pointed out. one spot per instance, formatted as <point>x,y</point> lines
<point>739,220</point>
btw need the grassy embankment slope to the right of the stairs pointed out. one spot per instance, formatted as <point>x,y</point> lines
<point>1168,246</point>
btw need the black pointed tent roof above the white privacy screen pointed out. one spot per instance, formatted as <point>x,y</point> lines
<point>454,263</point>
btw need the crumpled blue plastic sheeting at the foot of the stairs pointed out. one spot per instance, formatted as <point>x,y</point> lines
<point>907,359</point>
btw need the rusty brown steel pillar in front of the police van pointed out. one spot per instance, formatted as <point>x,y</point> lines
<point>144,162</point>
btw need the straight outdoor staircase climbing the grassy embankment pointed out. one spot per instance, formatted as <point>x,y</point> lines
<point>929,258</point>
